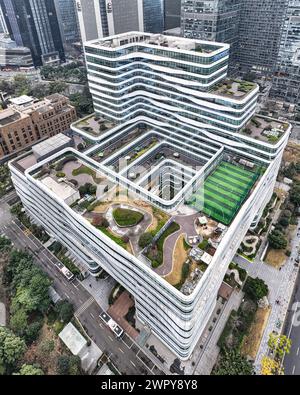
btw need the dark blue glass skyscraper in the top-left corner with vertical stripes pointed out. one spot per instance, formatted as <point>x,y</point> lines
<point>34,24</point>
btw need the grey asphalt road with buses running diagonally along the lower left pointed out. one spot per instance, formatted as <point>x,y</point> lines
<point>126,355</point>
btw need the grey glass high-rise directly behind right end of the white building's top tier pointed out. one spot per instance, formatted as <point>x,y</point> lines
<point>213,20</point>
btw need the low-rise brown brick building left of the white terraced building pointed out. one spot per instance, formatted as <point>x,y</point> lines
<point>23,124</point>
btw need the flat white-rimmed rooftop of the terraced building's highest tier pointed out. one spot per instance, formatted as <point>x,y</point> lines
<point>160,40</point>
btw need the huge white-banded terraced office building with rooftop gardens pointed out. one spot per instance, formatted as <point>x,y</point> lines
<point>174,140</point>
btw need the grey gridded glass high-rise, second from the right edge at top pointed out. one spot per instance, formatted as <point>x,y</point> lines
<point>260,29</point>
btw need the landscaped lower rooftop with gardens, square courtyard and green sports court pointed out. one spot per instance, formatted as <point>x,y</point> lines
<point>219,196</point>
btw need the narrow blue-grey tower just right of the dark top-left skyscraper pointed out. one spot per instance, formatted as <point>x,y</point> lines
<point>68,21</point>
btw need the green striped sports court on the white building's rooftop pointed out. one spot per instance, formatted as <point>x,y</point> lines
<point>224,192</point>
